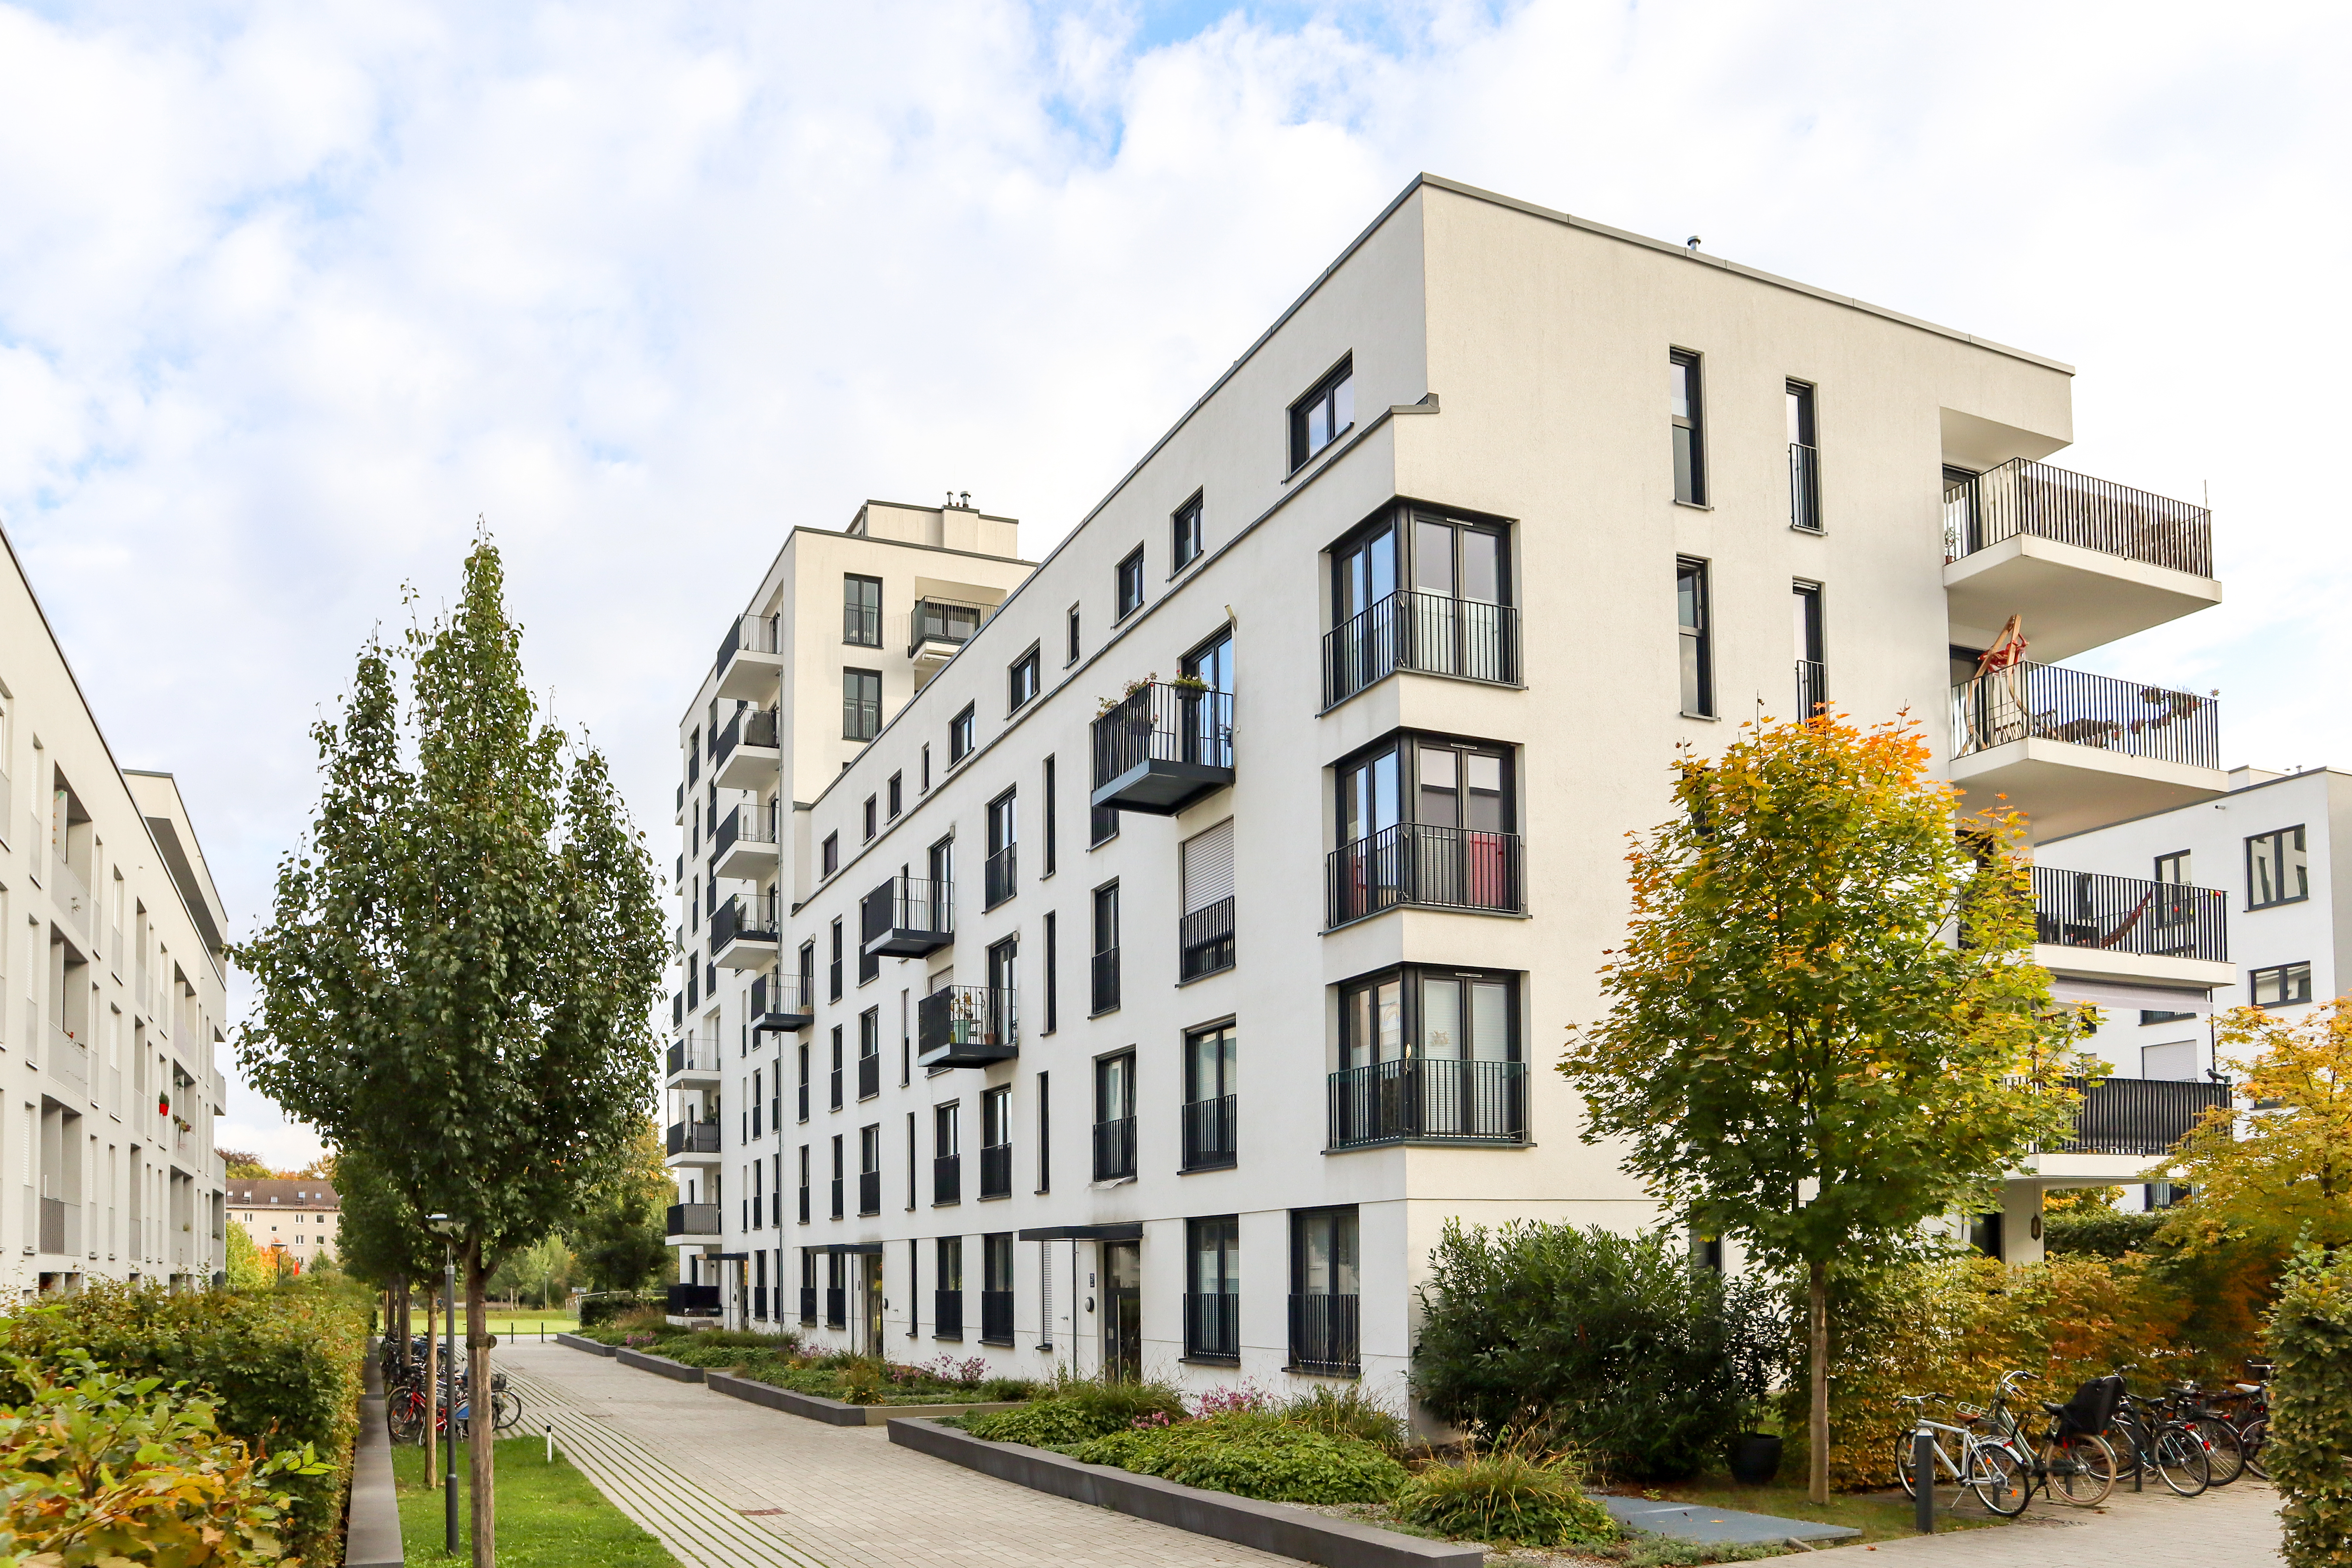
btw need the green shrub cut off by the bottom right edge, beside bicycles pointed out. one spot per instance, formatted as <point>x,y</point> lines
<point>2311,1412</point>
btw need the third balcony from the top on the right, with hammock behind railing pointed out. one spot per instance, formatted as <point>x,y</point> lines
<point>2132,930</point>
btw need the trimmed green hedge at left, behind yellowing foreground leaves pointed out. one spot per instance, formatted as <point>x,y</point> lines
<point>283,1365</point>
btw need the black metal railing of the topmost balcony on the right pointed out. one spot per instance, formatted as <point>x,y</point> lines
<point>2071,509</point>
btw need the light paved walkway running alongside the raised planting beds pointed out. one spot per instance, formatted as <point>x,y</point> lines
<point>730,1485</point>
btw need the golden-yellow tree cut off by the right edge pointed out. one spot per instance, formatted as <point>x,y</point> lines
<point>2278,1174</point>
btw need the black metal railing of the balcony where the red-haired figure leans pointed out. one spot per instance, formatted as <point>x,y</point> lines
<point>2052,704</point>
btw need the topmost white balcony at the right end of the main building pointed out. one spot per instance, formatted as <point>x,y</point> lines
<point>2078,558</point>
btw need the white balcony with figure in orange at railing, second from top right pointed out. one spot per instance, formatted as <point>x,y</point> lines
<point>2076,751</point>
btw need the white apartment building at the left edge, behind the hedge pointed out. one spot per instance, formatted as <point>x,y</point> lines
<point>112,993</point>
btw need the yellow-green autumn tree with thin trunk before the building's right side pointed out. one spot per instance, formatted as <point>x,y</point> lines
<point>1798,1052</point>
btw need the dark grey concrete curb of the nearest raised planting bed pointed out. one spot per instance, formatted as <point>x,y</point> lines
<point>1269,1527</point>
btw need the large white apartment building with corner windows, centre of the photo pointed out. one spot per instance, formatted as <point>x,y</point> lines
<point>1158,944</point>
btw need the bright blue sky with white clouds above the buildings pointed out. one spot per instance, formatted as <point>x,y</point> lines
<point>298,293</point>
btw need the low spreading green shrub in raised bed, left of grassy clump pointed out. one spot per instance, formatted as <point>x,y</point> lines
<point>1252,1456</point>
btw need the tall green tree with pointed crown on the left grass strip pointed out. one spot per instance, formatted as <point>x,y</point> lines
<point>465,956</point>
